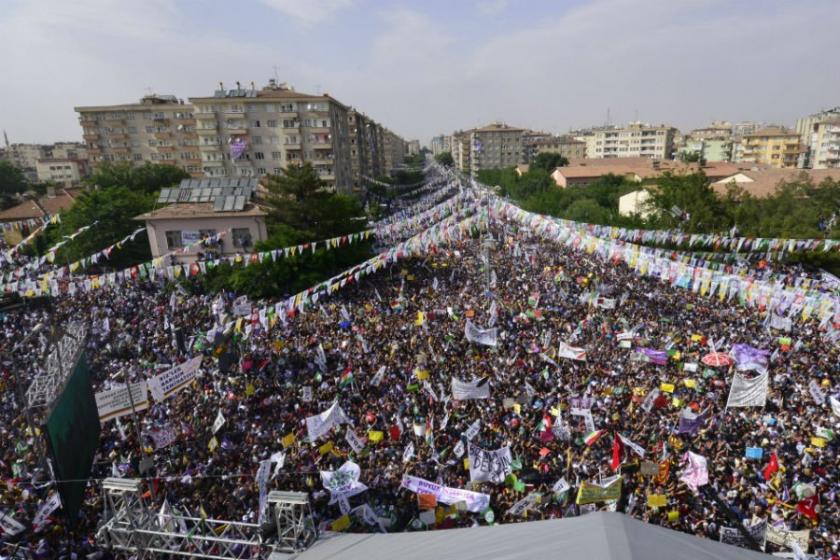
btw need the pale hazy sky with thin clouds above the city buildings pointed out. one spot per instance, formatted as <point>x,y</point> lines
<point>423,68</point>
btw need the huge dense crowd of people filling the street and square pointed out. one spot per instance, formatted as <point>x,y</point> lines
<point>386,348</point>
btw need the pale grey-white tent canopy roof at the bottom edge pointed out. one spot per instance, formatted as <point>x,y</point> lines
<point>597,536</point>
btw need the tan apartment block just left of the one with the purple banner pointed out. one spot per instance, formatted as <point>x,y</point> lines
<point>159,129</point>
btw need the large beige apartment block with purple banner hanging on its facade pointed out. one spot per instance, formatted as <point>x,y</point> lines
<point>245,132</point>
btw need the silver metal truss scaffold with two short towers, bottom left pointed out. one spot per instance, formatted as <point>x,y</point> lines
<point>130,525</point>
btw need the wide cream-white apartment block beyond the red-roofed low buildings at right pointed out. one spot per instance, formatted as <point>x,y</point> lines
<point>635,140</point>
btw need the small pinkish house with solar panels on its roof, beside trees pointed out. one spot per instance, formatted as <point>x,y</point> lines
<point>199,208</point>
